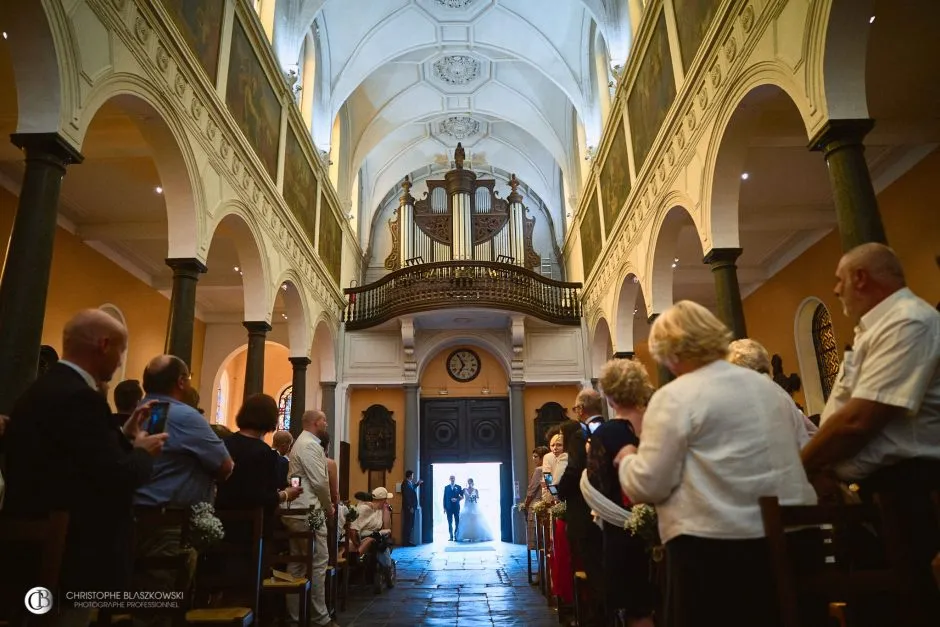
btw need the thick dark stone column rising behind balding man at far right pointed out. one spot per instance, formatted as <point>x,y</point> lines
<point>853,194</point>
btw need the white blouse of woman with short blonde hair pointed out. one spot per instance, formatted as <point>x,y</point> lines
<point>714,441</point>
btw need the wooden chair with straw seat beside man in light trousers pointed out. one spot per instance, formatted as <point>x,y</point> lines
<point>274,560</point>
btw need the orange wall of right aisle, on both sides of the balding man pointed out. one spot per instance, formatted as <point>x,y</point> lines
<point>910,216</point>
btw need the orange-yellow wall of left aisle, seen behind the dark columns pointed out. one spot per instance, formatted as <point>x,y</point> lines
<point>82,278</point>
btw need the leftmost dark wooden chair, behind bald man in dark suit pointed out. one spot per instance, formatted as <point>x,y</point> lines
<point>21,540</point>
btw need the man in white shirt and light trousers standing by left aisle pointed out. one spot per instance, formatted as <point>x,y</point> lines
<point>308,461</point>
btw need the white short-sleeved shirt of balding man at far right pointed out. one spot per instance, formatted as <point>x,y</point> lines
<point>894,360</point>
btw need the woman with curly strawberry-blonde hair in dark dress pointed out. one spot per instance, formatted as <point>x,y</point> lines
<point>624,561</point>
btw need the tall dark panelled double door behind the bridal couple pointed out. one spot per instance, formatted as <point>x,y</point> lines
<point>461,431</point>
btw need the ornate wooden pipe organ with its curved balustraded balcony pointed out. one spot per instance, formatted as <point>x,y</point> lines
<point>462,247</point>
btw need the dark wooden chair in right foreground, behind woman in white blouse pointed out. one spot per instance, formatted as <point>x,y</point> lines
<point>837,579</point>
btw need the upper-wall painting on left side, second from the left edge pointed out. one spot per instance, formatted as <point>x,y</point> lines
<point>252,100</point>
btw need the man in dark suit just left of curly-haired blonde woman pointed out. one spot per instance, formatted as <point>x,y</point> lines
<point>585,538</point>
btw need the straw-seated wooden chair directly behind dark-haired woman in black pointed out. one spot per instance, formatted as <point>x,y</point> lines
<point>229,581</point>
